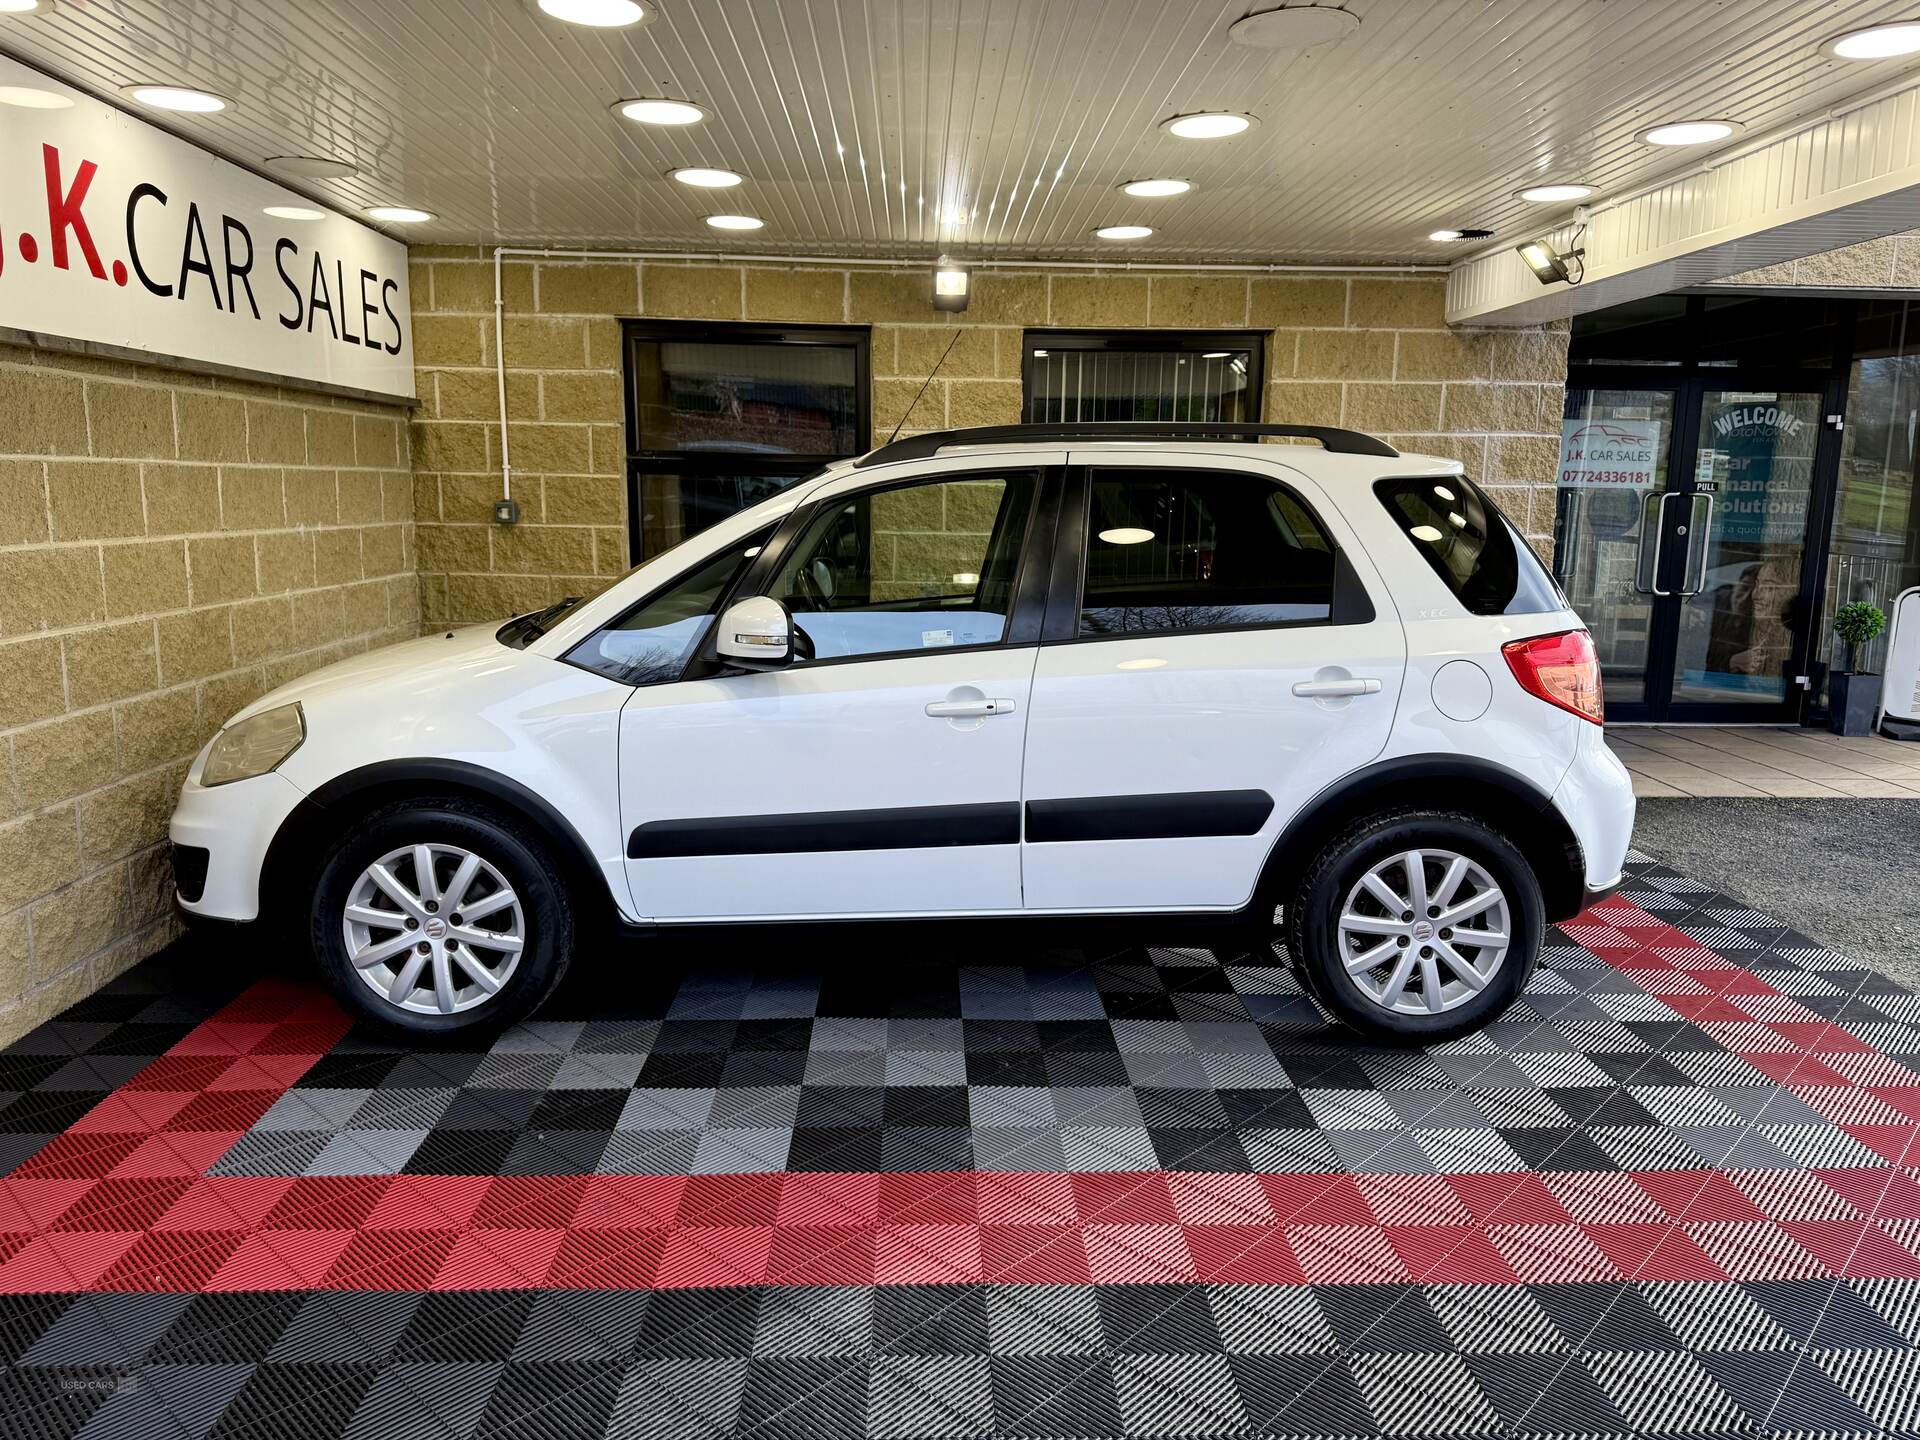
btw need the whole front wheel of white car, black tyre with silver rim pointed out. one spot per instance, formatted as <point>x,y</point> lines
<point>435,917</point>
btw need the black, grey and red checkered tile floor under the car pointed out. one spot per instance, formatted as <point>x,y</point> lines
<point>1673,1193</point>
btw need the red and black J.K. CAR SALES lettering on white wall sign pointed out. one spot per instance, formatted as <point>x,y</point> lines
<point>176,252</point>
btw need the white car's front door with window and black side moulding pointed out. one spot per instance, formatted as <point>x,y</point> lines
<point>880,773</point>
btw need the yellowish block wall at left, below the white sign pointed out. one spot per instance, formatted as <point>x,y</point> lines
<point>172,546</point>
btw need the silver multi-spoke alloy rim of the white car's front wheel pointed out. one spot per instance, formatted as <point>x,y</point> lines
<point>435,930</point>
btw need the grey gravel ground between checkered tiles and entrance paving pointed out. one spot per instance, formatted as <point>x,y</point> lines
<point>1846,873</point>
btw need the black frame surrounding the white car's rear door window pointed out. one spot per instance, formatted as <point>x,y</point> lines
<point>1351,602</point>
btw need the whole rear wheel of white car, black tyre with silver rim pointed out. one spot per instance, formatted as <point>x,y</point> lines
<point>1418,926</point>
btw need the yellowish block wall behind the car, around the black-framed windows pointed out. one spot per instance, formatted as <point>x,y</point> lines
<point>1362,350</point>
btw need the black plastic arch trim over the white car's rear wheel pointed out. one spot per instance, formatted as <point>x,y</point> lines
<point>1552,848</point>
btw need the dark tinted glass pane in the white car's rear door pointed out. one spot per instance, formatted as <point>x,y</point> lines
<point>1201,550</point>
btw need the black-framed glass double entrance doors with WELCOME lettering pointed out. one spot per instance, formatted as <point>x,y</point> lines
<point>1683,540</point>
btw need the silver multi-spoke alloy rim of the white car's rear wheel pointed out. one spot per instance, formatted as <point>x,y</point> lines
<point>1424,932</point>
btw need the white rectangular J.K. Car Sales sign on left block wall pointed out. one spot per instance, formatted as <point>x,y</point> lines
<point>122,235</point>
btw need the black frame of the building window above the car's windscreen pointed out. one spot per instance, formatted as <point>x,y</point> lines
<point>723,462</point>
